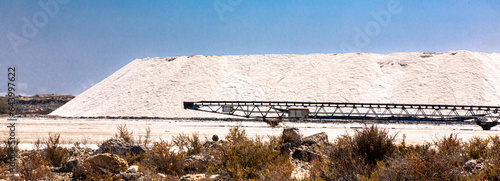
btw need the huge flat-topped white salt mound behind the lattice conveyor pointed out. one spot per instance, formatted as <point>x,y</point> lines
<point>157,87</point>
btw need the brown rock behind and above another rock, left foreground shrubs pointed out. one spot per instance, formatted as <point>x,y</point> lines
<point>119,147</point>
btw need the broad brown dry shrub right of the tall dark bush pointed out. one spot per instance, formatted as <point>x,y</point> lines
<point>421,162</point>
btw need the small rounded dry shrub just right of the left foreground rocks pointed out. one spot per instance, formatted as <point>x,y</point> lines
<point>163,158</point>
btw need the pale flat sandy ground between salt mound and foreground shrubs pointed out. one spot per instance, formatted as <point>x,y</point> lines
<point>95,131</point>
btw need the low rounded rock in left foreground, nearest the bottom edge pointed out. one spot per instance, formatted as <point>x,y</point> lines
<point>107,163</point>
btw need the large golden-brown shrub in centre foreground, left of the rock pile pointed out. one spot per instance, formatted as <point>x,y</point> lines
<point>243,158</point>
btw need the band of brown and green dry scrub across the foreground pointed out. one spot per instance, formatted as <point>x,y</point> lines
<point>369,154</point>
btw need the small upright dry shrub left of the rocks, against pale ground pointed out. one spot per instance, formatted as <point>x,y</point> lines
<point>54,153</point>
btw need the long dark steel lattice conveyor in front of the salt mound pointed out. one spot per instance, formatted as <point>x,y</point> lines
<point>484,116</point>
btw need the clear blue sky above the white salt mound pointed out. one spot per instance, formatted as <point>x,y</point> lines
<point>67,46</point>
